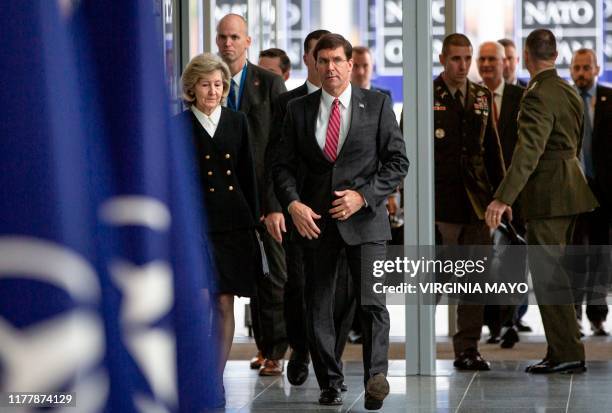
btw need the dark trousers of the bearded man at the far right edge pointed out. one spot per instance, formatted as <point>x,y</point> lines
<point>592,267</point>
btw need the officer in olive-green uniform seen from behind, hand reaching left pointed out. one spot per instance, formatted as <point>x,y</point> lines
<point>546,177</point>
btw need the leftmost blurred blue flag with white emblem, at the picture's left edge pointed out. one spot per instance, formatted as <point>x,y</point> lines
<point>52,332</point>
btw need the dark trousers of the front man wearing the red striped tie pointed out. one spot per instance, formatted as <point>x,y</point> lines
<point>320,265</point>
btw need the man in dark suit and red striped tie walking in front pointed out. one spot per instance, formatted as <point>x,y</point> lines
<point>341,153</point>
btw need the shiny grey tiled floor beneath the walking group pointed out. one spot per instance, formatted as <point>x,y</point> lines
<point>506,388</point>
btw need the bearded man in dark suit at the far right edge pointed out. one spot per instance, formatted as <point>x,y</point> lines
<point>593,228</point>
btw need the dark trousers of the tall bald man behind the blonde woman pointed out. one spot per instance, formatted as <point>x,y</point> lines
<point>267,307</point>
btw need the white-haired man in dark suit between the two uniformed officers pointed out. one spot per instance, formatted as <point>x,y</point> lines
<point>506,99</point>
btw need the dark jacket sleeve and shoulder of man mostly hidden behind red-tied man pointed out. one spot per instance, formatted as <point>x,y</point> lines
<point>271,203</point>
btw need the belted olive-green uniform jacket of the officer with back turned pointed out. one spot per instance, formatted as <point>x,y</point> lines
<point>545,173</point>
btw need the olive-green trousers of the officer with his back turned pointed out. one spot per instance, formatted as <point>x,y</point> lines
<point>551,284</point>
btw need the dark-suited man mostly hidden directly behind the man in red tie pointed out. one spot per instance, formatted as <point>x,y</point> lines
<point>295,307</point>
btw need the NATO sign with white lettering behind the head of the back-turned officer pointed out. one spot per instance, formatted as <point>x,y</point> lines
<point>576,24</point>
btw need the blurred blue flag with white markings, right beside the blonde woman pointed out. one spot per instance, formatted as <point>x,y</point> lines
<point>152,209</point>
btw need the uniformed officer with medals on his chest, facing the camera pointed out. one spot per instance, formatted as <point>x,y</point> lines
<point>468,168</point>
